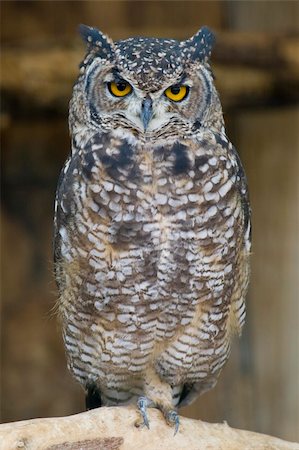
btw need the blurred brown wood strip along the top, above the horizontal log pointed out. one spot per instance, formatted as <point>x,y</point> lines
<point>29,21</point>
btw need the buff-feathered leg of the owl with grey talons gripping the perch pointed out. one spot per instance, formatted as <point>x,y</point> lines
<point>158,394</point>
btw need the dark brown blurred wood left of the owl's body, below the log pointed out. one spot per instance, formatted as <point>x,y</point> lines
<point>35,380</point>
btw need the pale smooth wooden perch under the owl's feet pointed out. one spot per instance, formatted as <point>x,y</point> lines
<point>115,429</point>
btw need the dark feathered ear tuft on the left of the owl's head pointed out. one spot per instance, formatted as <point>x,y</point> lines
<point>96,40</point>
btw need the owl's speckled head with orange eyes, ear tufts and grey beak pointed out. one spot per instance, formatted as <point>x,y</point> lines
<point>147,87</point>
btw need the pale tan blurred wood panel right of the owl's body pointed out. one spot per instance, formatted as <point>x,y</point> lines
<point>269,145</point>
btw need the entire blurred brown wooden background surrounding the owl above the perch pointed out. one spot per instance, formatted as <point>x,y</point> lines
<point>256,62</point>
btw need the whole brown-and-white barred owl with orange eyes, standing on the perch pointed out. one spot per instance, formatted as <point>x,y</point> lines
<point>152,225</point>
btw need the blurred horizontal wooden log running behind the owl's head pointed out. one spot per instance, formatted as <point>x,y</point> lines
<point>249,68</point>
